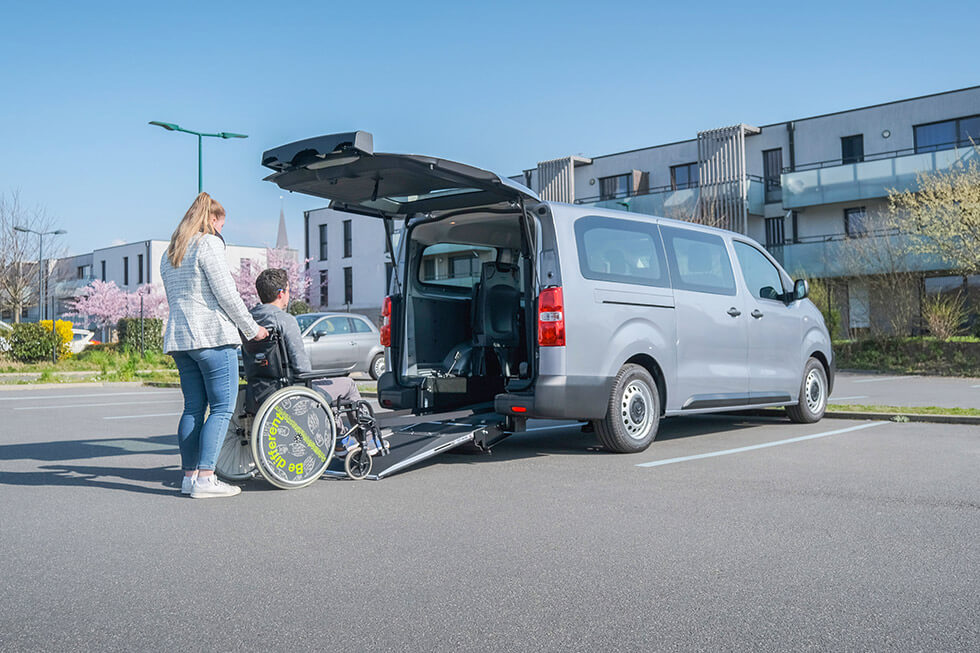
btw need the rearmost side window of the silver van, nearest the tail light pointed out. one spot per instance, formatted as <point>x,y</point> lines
<point>624,251</point>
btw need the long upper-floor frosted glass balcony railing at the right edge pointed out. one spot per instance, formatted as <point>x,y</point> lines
<point>828,182</point>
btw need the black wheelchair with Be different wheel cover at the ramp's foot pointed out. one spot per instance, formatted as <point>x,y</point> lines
<point>285,431</point>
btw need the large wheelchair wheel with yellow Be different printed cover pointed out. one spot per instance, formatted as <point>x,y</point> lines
<point>293,437</point>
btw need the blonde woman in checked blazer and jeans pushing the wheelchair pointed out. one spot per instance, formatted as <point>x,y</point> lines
<point>206,314</point>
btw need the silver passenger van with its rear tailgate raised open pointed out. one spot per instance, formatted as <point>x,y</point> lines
<point>503,302</point>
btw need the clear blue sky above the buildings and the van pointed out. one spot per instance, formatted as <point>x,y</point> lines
<point>499,85</point>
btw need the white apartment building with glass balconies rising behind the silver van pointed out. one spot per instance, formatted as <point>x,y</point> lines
<point>809,188</point>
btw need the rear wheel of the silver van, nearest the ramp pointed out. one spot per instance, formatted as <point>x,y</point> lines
<point>633,414</point>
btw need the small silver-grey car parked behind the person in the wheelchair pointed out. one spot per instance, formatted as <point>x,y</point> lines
<point>342,341</point>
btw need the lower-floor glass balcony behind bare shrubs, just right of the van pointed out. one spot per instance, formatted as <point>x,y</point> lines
<point>838,255</point>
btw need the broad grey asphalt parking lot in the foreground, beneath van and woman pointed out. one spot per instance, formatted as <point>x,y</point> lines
<point>739,534</point>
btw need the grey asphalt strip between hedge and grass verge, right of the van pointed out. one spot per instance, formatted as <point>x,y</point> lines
<point>905,390</point>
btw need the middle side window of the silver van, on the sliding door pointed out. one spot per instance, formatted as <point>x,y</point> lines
<point>698,261</point>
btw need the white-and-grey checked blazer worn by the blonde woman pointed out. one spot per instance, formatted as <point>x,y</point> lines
<point>205,307</point>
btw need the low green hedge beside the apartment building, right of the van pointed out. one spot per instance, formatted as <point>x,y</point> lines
<point>910,356</point>
